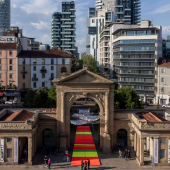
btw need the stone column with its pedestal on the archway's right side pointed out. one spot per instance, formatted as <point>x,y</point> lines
<point>107,138</point>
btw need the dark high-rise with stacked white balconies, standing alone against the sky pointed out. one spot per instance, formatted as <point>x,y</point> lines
<point>63,28</point>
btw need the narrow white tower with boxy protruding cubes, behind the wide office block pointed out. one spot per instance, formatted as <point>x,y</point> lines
<point>95,22</point>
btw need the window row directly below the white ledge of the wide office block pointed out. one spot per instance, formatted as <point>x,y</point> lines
<point>134,41</point>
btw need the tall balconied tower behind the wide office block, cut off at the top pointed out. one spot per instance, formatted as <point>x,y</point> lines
<point>127,11</point>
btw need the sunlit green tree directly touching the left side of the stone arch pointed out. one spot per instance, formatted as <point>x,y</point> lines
<point>52,97</point>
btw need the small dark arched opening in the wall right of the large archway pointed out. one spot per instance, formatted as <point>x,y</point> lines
<point>122,137</point>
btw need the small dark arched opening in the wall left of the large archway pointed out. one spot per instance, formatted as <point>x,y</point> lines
<point>48,137</point>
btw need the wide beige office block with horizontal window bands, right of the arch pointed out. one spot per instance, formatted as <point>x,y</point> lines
<point>132,56</point>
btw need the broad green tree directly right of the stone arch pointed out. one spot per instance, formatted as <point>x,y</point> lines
<point>126,98</point>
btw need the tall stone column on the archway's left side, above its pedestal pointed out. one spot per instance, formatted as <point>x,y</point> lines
<point>62,113</point>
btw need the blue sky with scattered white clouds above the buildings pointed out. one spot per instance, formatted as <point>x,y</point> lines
<point>34,17</point>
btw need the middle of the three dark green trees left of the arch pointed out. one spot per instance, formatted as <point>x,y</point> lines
<point>41,98</point>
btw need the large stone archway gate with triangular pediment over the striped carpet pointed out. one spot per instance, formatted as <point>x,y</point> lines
<point>85,84</point>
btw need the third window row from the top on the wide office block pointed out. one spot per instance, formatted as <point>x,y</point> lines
<point>150,48</point>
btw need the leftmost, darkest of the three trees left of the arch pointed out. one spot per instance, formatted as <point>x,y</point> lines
<point>28,100</point>
